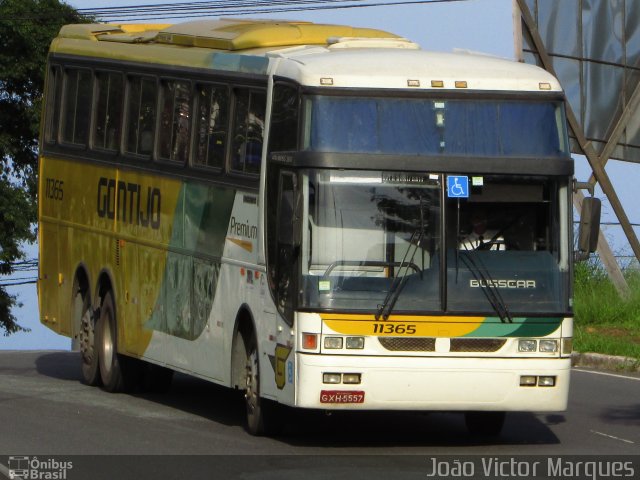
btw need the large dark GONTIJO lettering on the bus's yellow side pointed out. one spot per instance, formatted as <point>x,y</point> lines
<point>129,203</point>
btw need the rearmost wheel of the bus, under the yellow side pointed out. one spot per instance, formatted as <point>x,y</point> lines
<point>87,339</point>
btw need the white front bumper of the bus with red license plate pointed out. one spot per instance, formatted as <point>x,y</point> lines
<point>432,383</point>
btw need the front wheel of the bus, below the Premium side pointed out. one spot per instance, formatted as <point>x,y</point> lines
<point>264,417</point>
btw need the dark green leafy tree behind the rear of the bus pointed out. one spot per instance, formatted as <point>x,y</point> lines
<point>26,30</point>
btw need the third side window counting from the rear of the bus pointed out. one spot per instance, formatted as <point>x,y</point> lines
<point>108,126</point>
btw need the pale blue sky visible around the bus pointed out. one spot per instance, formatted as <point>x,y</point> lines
<point>475,25</point>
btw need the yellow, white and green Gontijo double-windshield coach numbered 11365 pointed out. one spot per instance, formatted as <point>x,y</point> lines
<point>324,217</point>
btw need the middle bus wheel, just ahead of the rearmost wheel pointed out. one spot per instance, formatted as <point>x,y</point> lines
<point>118,373</point>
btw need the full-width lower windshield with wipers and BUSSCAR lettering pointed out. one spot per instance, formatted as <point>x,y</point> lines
<point>371,236</point>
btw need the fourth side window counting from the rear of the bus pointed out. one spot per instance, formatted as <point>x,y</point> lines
<point>141,115</point>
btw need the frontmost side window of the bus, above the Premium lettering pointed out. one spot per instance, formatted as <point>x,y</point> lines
<point>248,131</point>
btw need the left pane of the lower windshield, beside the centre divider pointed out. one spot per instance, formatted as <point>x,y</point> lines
<point>367,229</point>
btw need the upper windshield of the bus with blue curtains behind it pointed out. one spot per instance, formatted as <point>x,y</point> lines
<point>422,126</point>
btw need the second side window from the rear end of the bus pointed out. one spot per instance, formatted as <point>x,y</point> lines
<point>76,112</point>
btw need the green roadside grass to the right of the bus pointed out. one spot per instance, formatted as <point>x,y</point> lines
<point>605,322</point>
